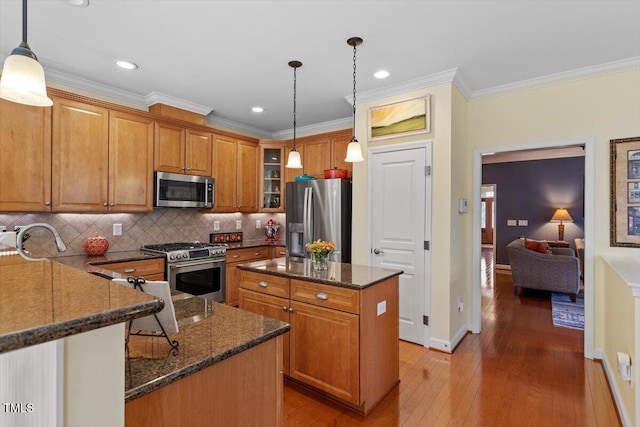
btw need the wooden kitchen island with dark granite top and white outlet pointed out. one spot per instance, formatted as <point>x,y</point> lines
<point>343,341</point>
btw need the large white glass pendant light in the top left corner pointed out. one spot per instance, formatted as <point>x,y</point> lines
<point>22,78</point>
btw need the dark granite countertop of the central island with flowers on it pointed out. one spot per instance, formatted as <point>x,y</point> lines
<point>337,274</point>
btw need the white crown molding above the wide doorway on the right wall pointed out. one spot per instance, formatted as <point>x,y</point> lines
<point>566,76</point>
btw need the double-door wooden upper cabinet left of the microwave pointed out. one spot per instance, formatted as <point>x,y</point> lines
<point>102,159</point>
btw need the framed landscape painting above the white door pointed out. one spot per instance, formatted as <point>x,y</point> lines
<point>408,117</point>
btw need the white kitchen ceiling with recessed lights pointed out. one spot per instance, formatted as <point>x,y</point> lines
<point>228,56</point>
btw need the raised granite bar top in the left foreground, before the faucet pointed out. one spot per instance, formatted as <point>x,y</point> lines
<point>42,301</point>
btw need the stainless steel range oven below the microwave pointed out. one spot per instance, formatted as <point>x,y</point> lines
<point>195,268</point>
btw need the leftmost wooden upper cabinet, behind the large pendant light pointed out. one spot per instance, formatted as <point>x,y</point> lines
<point>25,162</point>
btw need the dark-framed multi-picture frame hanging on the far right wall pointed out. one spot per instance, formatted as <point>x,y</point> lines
<point>625,192</point>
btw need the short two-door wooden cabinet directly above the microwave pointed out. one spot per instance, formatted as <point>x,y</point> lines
<point>182,150</point>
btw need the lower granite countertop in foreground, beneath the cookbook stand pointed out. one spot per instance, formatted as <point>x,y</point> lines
<point>208,333</point>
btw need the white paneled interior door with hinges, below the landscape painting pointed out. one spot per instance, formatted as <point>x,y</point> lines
<point>400,196</point>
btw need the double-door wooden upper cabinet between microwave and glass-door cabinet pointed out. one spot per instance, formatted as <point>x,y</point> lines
<point>235,169</point>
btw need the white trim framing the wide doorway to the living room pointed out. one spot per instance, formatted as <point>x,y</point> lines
<point>589,231</point>
